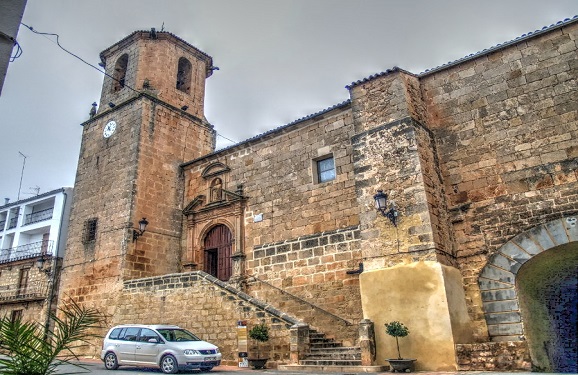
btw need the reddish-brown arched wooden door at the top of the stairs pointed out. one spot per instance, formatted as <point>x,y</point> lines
<point>217,254</point>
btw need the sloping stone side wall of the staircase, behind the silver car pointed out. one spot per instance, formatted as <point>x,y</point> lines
<point>207,307</point>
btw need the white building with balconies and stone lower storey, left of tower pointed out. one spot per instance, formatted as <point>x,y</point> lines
<point>33,234</point>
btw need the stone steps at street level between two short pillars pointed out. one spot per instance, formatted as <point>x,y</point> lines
<point>328,355</point>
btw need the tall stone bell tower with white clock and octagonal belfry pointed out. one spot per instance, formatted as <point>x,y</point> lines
<point>149,121</point>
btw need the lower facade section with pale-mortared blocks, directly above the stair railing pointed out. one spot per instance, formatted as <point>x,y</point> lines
<point>307,277</point>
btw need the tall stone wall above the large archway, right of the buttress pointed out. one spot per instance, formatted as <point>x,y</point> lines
<point>506,131</point>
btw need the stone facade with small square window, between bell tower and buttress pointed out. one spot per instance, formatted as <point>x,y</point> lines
<point>305,240</point>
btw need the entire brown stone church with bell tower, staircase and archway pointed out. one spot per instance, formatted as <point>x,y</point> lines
<point>445,200</point>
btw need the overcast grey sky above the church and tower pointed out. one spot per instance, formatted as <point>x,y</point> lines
<point>279,61</point>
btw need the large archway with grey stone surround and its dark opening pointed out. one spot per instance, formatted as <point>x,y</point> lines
<point>529,292</point>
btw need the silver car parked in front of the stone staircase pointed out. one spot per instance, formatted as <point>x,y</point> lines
<point>168,347</point>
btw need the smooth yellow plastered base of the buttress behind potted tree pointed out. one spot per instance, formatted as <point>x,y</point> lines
<point>425,296</point>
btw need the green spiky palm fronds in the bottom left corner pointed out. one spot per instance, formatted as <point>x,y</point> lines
<point>30,348</point>
